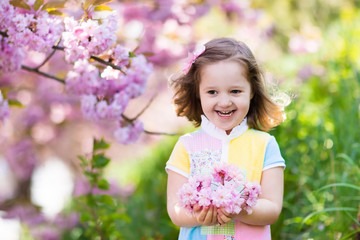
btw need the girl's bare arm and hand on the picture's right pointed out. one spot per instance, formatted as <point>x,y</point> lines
<point>269,205</point>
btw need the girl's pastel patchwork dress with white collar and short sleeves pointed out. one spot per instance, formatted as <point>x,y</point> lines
<point>251,150</point>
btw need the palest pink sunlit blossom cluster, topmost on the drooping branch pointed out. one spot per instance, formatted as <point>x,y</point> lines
<point>87,38</point>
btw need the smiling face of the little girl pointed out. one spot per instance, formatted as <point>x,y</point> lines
<point>225,94</point>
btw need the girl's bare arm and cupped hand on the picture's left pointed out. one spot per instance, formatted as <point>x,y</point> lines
<point>206,216</point>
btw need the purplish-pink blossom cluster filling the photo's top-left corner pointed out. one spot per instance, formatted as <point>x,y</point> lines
<point>22,30</point>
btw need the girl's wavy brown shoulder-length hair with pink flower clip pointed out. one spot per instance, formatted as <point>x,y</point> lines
<point>263,114</point>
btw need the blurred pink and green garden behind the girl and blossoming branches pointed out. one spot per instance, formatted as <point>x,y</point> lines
<point>310,53</point>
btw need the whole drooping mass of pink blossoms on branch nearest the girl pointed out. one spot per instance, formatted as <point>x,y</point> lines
<point>104,93</point>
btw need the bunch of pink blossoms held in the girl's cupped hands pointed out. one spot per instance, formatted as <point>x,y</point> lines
<point>226,187</point>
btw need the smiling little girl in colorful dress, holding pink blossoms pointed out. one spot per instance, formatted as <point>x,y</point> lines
<point>222,91</point>
